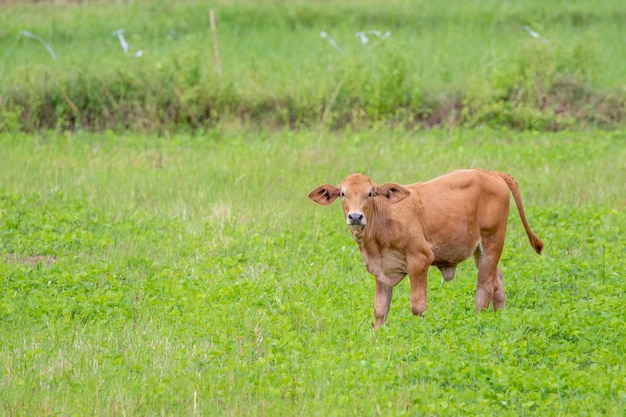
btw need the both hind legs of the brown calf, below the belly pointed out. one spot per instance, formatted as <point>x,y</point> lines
<point>489,286</point>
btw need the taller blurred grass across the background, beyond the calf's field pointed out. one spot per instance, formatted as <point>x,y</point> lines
<point>470,63</point>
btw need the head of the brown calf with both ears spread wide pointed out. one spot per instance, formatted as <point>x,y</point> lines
<point>358,194</point>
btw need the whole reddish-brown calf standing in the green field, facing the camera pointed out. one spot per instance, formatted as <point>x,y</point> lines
<point>404,230</point>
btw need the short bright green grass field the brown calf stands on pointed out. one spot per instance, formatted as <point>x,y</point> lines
<point>192,276</point>
